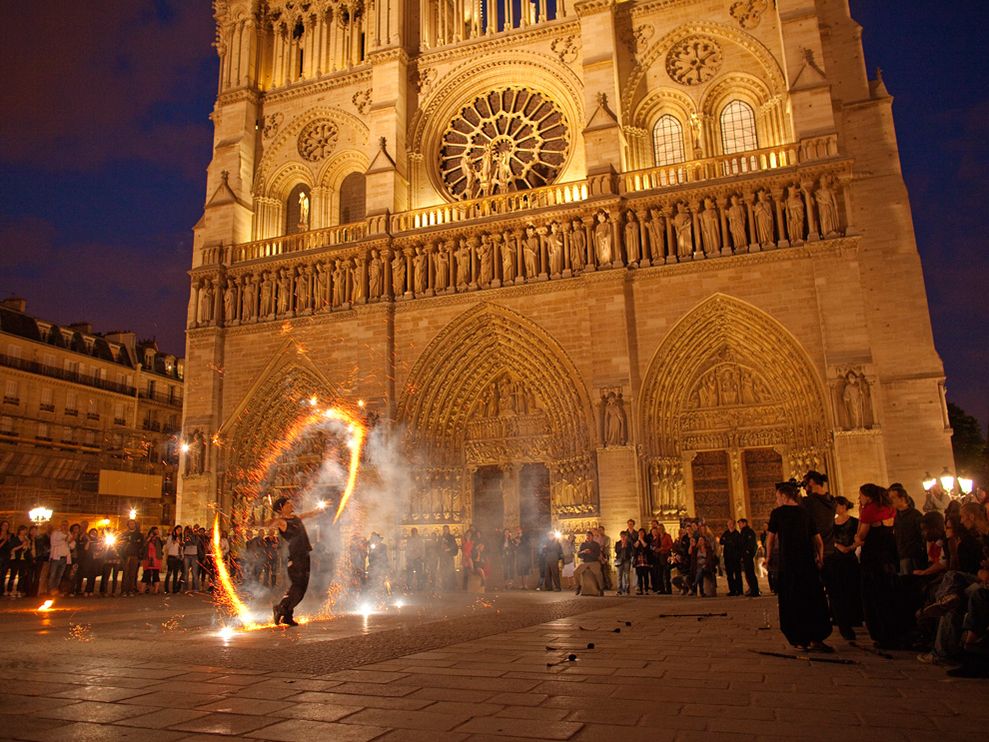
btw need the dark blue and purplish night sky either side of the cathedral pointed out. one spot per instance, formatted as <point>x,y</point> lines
<point>105,140</point>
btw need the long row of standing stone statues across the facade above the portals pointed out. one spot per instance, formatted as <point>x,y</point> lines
<point>677,232</point>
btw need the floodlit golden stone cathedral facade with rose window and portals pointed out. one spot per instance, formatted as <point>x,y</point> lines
<point>584,260</point>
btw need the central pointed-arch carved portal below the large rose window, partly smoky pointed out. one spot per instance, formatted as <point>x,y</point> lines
<point>493,401</point>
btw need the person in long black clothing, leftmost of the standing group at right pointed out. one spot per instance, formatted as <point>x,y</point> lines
<point>803,609</point>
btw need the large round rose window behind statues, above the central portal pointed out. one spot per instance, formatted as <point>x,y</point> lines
<point>506,140</point>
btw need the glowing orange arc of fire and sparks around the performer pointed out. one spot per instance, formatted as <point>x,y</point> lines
<point>358,433</point>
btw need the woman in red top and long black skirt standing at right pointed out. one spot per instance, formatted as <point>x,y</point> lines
<point>881,603</point>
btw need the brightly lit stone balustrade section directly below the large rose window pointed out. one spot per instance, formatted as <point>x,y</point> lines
<point>479,208</point>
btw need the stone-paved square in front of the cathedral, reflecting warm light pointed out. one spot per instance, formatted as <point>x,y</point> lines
<point>496,668</point>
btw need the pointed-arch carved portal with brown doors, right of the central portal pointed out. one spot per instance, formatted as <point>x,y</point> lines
<point>730,403</point>
